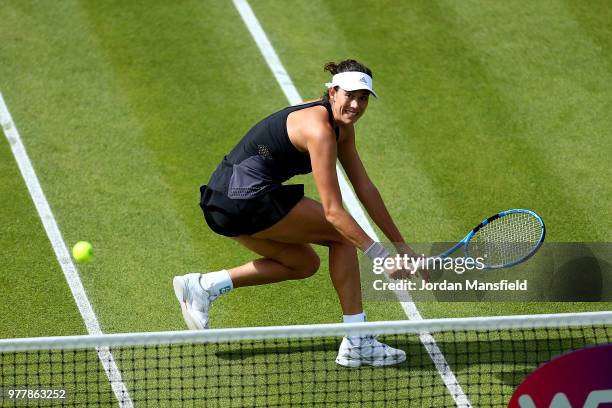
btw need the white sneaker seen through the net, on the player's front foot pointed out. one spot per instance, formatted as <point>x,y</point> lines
<point>358,351</point>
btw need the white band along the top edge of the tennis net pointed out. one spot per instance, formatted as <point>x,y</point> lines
<point>308,331</point>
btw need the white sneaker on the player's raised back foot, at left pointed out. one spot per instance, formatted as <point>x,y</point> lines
<point>194,299</point>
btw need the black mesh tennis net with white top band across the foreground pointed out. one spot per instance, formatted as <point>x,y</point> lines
<point>450,362</point>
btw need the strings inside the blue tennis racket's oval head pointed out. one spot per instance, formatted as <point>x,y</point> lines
<point>507,239</point>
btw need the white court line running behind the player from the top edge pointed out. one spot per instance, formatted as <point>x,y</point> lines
<point>350,199</point>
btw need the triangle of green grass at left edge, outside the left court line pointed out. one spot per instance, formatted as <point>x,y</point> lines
<point>36,299</point>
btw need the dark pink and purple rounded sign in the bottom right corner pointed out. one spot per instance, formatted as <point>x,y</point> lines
<point>581,378</point>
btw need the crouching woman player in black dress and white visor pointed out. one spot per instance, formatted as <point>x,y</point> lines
<point>246,201</point>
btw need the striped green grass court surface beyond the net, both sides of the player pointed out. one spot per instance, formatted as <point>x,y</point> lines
<point>125,109</point>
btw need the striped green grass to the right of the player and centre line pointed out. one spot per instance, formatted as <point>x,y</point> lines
<point>480,109</point>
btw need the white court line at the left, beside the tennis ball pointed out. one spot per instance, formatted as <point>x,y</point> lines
<point>61,252</point>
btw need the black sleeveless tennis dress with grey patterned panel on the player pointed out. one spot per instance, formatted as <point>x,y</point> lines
<point>245,193</point>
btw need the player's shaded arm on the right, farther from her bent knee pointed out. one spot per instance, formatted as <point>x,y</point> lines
<point>367,192</point>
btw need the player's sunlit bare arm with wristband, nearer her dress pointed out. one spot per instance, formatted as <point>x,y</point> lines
<point>323,152</point>
